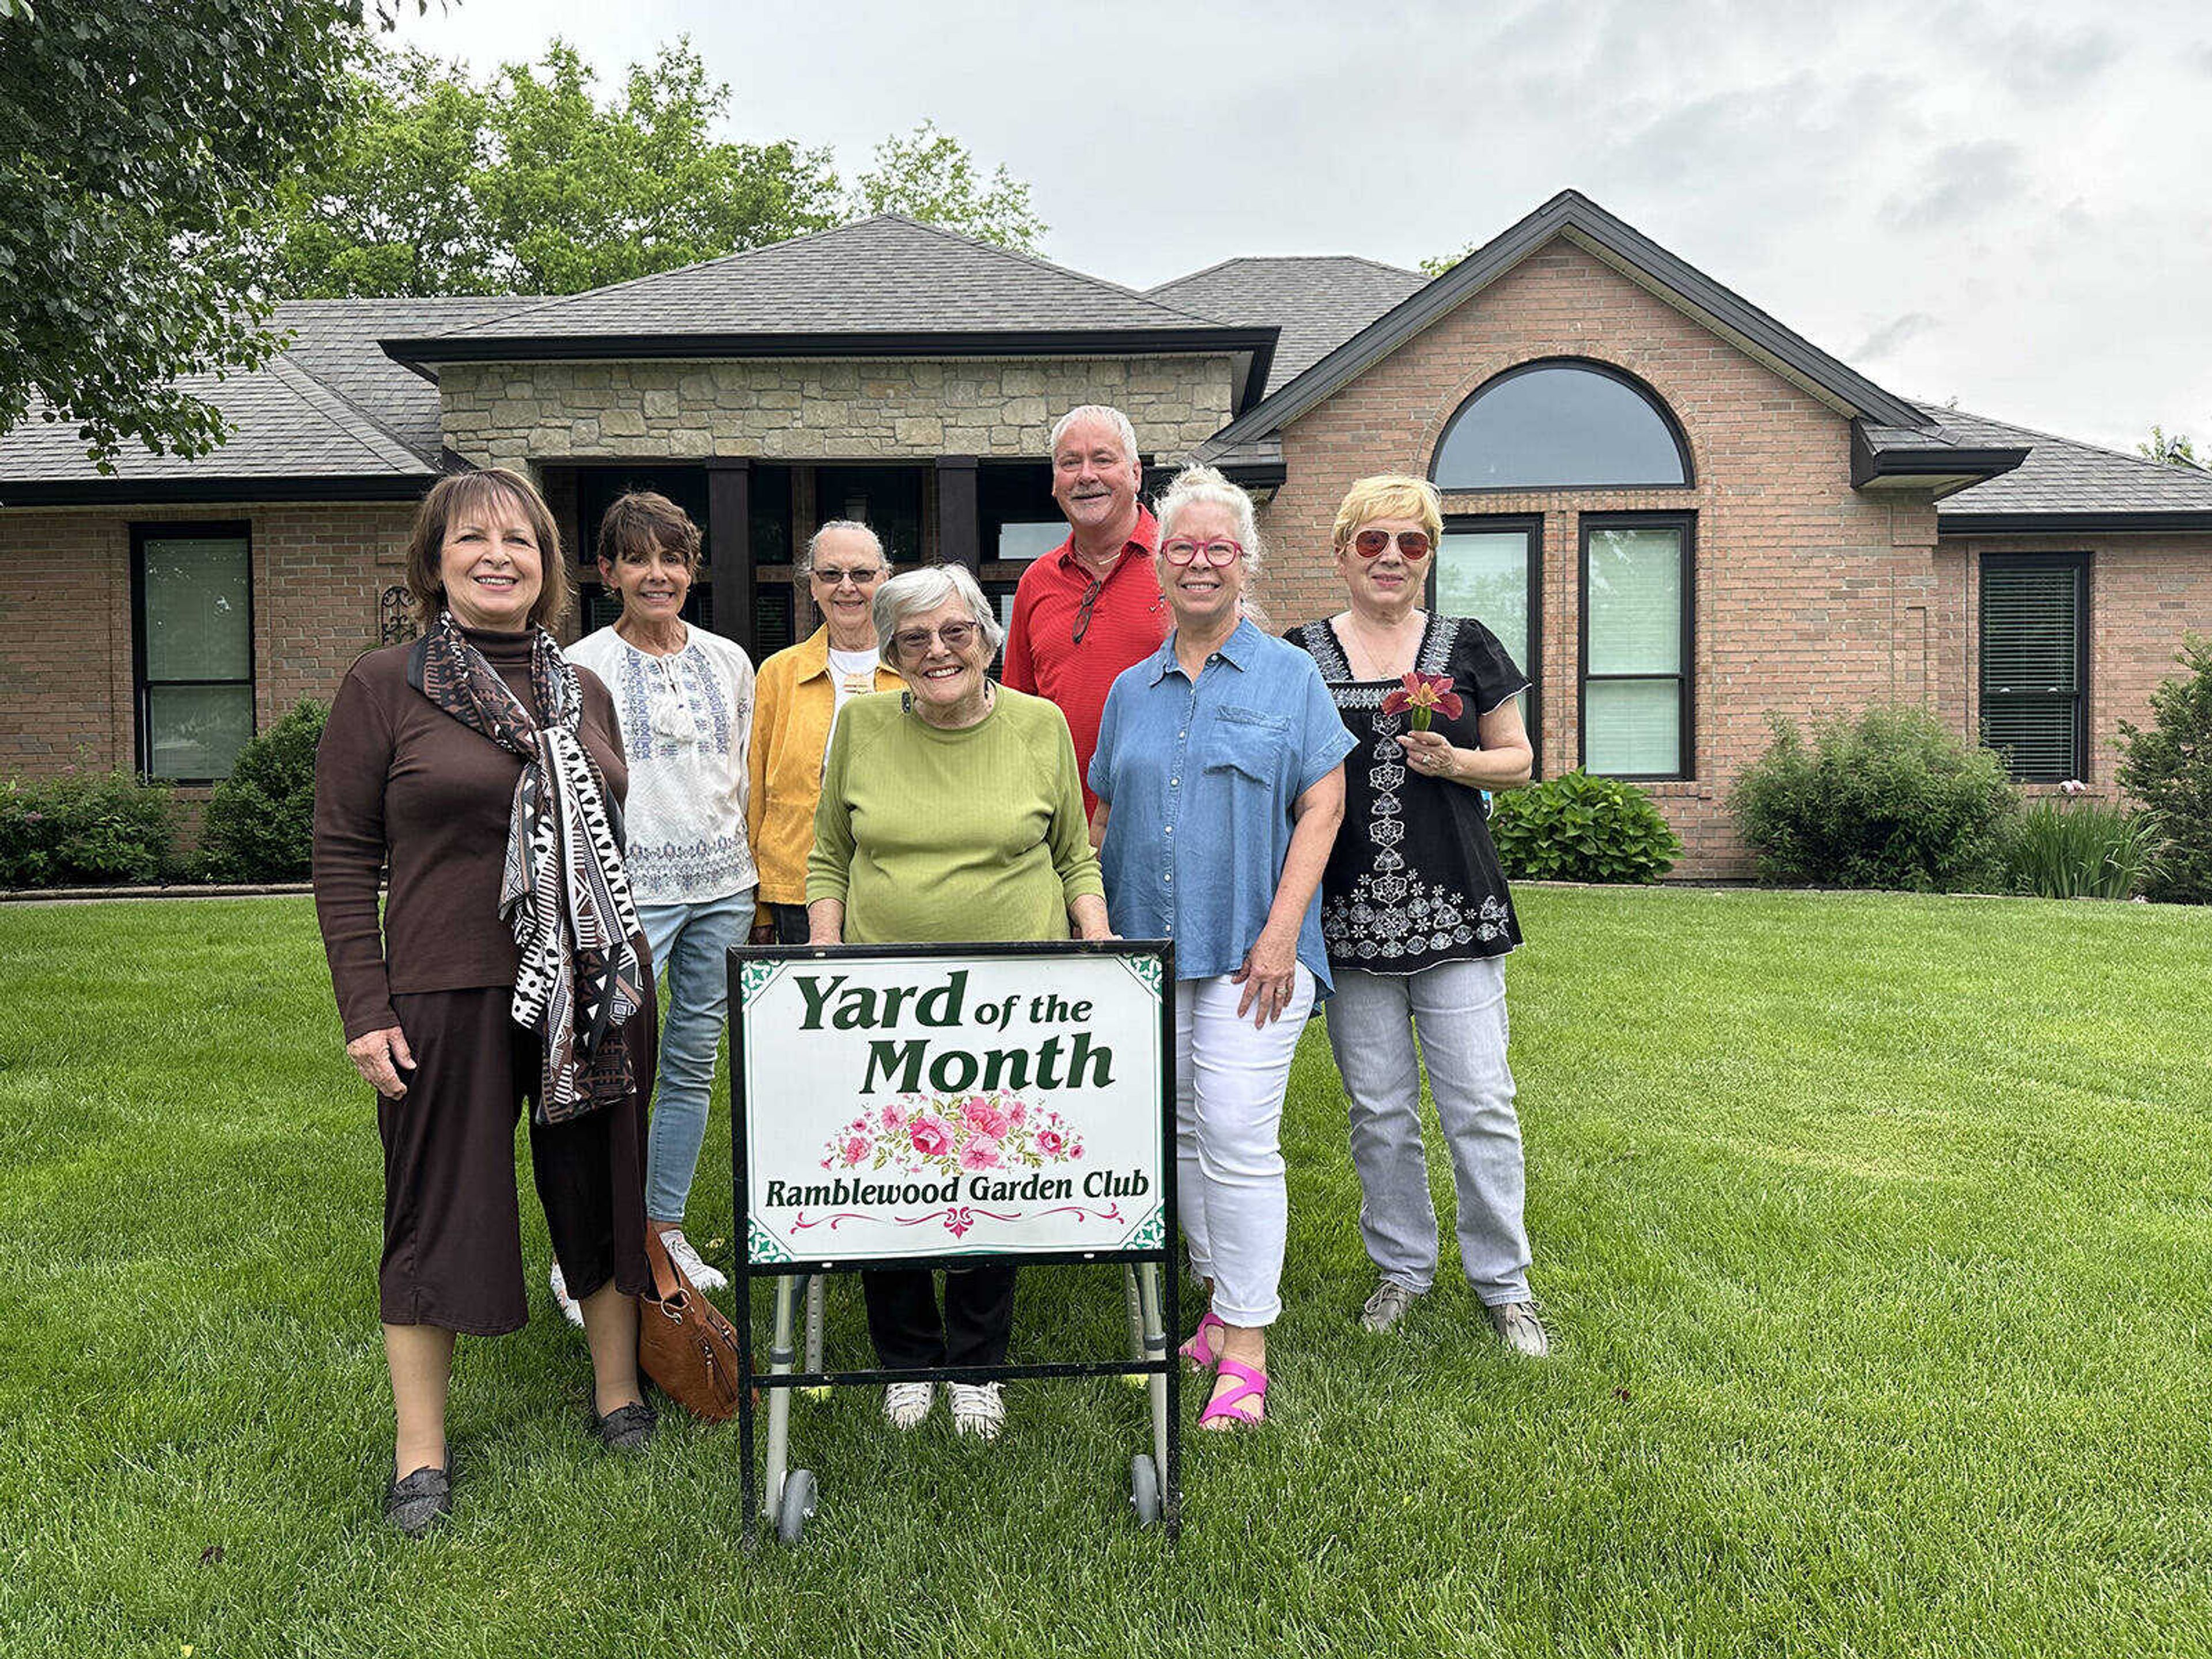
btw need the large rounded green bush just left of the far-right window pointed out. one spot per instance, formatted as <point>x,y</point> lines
<point>1888,800</point>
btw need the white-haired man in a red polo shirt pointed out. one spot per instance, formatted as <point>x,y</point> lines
<point>1092,607</point>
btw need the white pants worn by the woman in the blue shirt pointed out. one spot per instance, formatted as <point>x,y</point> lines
<point>1229,1142</point>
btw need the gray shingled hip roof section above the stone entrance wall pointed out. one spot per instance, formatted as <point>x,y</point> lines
<point>884,275</point>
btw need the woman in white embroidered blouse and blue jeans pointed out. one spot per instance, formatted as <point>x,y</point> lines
<point>685,700</point>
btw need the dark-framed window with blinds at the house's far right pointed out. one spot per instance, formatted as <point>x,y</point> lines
<point>2036,665</point>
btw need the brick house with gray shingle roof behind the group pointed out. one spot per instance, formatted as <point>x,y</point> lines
<point>1680,514</point>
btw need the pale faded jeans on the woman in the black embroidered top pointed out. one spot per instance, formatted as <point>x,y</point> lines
<point>1459,1012</point>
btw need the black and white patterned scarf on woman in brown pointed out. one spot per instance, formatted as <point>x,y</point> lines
<point>565,890</point>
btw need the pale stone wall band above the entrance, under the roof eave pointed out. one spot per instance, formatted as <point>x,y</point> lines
<point>817,408</point>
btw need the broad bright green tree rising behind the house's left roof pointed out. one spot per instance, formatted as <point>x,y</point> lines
<point>530,182</point>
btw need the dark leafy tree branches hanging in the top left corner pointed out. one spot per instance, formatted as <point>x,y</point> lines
<point>136,140</point>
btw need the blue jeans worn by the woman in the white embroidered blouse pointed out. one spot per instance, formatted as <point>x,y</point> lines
<point>691,950</point>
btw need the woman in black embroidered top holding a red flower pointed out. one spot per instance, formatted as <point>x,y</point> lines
<point>1417,912</point>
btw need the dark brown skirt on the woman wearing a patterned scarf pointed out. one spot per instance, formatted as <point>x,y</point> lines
<point>452,1220</point>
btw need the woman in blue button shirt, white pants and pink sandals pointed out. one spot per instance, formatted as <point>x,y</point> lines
<point>1220,780</point>
